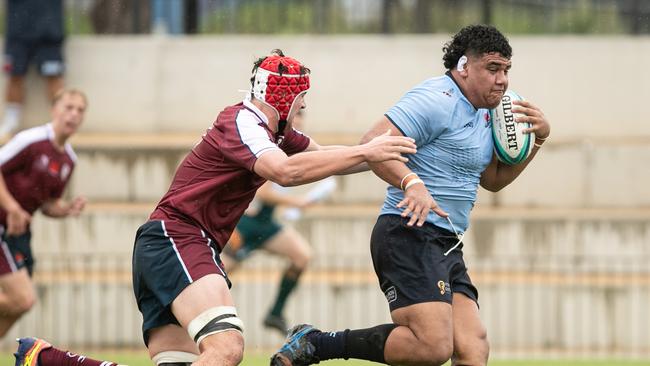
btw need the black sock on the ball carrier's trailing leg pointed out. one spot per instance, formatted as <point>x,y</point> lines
<point>364,344</point>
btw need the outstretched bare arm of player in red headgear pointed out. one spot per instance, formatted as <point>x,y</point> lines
<point>310,166</point>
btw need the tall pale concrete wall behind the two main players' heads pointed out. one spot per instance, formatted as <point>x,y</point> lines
<point>588,86</point>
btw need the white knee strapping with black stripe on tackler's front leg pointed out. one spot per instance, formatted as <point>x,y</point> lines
<point>215,320</point>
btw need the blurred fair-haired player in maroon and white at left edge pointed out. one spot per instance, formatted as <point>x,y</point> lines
<point>36,165</point>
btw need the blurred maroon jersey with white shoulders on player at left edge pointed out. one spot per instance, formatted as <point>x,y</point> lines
<point>34,170</point>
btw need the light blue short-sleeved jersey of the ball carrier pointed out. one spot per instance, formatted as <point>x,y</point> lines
<point>454,147</point>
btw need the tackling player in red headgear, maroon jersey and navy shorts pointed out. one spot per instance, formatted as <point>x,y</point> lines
<point>178,278</point>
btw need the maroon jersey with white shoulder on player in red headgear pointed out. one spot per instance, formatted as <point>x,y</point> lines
<point>215,182</point>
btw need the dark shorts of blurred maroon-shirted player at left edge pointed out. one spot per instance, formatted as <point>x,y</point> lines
<point>16,253</point>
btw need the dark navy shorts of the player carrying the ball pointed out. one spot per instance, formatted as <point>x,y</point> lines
<point>411,265</point>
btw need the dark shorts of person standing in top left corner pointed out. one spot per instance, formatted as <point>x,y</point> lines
<point>47,55</point>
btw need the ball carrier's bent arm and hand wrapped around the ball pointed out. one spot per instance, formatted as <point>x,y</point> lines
<point>498,175</point>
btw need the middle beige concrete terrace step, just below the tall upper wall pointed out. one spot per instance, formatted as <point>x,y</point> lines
<point>580,174</point>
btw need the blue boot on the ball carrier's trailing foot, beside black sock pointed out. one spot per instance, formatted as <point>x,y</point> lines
<point>297,350</point>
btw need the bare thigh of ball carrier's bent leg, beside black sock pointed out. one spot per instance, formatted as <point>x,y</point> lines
<point>429,336</point>
